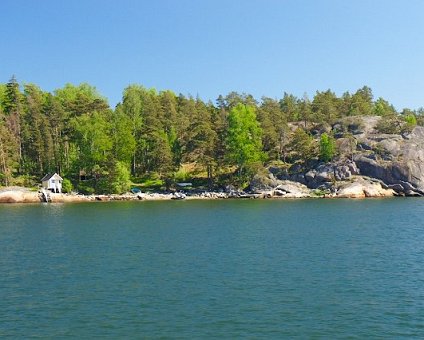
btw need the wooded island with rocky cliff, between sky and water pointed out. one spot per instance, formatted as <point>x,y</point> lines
<point>324,146</point>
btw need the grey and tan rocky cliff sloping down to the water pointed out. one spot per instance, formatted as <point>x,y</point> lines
<point>369,164</point>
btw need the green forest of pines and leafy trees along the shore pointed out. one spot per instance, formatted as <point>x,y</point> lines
<point>155,139</point>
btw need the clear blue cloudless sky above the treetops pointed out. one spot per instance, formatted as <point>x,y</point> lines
<point>212,47</point>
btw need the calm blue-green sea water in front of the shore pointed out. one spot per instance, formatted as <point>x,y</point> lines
<point>218,269</point>
